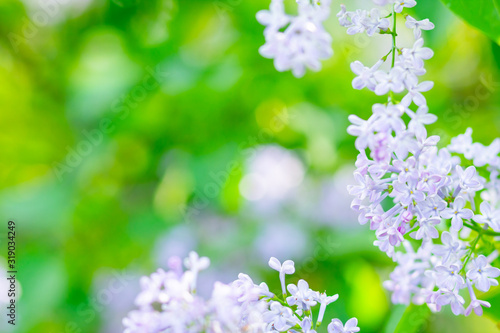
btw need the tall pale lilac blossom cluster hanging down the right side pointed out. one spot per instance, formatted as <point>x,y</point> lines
<point>432,212</point>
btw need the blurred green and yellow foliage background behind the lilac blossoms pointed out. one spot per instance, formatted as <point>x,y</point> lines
<point>132,130</point>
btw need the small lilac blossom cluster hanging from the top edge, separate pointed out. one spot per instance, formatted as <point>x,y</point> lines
<point>296,42</point>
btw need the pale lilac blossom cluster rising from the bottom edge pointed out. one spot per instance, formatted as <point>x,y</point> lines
<point>168,303</point>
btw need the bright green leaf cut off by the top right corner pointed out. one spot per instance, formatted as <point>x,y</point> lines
<point>481,14</point>
